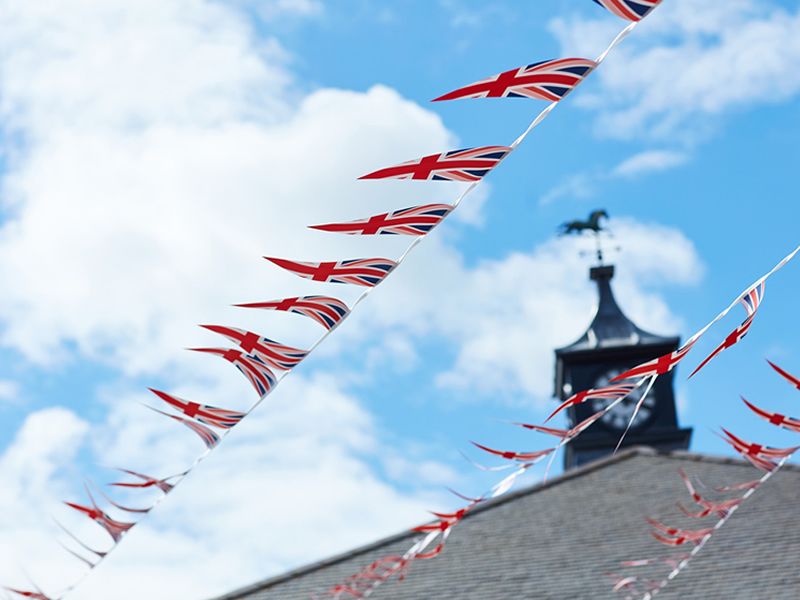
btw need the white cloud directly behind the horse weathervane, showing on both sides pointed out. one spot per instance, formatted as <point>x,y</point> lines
<point>526,305</point>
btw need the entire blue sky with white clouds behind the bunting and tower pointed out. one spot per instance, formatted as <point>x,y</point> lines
<point>153,153</point>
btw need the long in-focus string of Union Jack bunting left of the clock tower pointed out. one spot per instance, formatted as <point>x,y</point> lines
<point>265,362</point>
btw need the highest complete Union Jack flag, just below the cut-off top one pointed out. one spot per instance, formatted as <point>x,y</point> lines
<point>548,80</point>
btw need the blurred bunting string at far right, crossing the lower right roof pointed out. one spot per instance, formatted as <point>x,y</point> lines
<point>766,459</point>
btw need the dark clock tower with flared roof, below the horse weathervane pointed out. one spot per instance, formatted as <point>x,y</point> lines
<point>611,345</point>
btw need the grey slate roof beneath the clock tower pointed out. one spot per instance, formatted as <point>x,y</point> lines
<point>555,541</point>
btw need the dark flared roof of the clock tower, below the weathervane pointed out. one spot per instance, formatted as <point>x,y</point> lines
<point>611,327</point>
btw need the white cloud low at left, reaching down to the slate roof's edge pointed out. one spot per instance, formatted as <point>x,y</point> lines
<point>262,503</point>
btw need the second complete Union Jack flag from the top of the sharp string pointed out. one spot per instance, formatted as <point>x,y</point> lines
<point>470,164</point>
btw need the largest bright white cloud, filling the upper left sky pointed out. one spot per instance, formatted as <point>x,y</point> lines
<point>150,187</point>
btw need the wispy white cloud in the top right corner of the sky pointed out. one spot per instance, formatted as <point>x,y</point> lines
<point>688,64</point>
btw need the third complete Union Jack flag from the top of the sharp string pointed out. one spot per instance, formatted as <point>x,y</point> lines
<point>417,220</point>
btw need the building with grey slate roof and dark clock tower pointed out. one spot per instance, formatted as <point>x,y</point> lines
<point>557,540</point>
